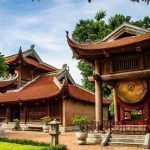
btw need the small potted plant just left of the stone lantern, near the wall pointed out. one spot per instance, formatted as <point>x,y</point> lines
<point>45,121</point>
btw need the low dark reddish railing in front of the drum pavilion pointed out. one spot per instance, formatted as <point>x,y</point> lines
<point>135,127</point>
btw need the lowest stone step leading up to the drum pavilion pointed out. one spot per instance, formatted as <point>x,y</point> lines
<point>125,144</point>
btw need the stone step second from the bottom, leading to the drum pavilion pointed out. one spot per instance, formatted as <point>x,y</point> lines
<point>133,140</point>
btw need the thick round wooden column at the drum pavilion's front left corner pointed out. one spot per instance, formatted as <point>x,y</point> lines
<point>98,94</point>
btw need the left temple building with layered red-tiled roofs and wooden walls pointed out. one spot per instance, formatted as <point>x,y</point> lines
<point>38,89</point>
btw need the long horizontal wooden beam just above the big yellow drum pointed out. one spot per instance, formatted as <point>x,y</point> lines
<point>133,74</point>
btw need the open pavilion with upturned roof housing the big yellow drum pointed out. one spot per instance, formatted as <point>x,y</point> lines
<point>122,60</point>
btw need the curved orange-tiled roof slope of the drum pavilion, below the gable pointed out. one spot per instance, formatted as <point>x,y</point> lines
<point>102,46</point>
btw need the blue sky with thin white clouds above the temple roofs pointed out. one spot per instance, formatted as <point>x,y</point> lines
<point>44,22</point>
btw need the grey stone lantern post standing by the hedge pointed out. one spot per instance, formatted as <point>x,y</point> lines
<point>54,132</point>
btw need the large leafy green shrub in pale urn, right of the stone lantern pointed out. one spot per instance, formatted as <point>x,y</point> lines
<point>82,123</point>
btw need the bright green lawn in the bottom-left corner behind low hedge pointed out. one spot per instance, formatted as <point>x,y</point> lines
<point>13,146</point>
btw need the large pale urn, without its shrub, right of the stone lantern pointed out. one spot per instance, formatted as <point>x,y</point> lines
<point>81,137</point>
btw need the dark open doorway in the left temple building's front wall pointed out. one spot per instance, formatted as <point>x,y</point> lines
<point>14,112</point>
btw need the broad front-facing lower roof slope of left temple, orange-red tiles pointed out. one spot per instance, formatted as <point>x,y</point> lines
<point>43,87</point>
